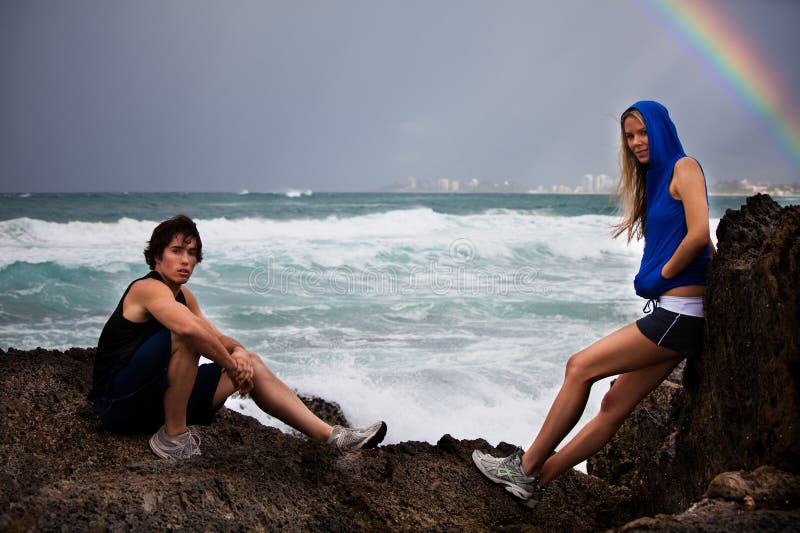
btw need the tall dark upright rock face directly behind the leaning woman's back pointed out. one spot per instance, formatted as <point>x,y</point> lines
<point>745,389</point>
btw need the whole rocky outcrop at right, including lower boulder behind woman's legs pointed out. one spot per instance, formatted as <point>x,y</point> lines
<point>739,406</point>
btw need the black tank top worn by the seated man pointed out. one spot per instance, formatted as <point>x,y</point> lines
<point>120,339</point>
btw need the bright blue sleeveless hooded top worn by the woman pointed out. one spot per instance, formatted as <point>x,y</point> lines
<point>665,225</point>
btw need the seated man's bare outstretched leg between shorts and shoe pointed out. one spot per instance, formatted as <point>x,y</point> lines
<point>276,399</point>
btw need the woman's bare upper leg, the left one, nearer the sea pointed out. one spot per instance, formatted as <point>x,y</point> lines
<point>620,352</point>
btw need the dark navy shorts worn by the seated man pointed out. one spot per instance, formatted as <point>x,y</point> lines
<point>134,400</point>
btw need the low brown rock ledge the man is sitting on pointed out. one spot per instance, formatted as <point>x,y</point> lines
<point>61,471</point>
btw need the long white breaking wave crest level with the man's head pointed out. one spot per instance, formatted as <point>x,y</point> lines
<point>334,241</point>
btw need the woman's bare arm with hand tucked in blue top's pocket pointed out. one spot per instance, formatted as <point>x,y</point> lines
<point>688,186</point>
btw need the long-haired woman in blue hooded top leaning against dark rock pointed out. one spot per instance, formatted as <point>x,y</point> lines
<point>664,199</point>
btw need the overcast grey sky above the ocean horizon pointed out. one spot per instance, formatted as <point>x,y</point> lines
<point>339,95</point>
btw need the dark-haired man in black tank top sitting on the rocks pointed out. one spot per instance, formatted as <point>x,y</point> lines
<point>146,370</point>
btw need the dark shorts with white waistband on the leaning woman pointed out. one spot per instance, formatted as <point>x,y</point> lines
<point>680,333</point>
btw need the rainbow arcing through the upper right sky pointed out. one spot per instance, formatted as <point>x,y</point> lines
<point>725,47</point>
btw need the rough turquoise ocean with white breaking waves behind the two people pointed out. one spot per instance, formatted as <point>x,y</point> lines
<point>439,313</point>
